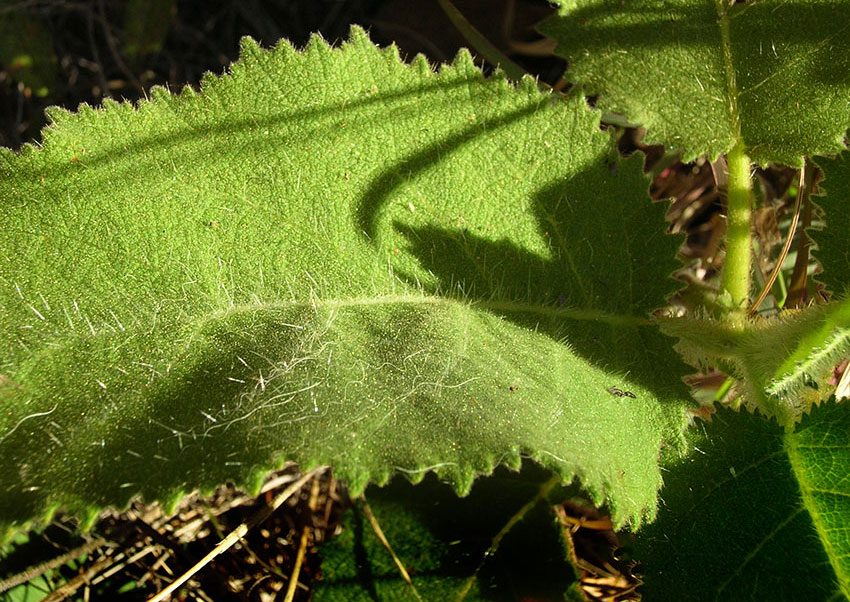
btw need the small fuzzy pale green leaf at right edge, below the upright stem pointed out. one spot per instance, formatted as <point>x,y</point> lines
<point>783,365</point>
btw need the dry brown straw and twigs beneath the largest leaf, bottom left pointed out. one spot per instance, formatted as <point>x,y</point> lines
<point>142,550</point>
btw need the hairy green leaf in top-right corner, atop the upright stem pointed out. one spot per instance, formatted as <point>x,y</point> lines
<point>773,73</point>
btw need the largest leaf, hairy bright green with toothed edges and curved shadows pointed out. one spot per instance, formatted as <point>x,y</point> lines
<point>329,257</point>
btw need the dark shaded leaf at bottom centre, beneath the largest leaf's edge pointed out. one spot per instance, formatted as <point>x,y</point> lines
<point>441,539</point>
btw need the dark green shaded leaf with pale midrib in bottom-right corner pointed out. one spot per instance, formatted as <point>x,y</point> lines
<point>755,514</point>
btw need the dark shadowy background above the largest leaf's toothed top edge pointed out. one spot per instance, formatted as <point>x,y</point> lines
<point>66,52</point>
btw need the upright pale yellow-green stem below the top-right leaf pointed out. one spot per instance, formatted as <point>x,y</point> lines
<point>736,271</point>
